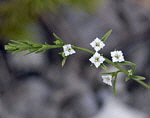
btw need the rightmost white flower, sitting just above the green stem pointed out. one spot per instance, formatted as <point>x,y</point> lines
<point>117,56</point>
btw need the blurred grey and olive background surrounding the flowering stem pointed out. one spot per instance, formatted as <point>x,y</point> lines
<point>36,86</point>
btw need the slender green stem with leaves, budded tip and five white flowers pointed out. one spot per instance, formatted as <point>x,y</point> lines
<point>97,59</point>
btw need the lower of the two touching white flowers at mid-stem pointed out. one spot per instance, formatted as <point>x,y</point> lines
<point>97,59</point>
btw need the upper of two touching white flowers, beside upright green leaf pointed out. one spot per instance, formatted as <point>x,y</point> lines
<point>97,44</point>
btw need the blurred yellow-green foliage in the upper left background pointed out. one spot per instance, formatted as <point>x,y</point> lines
<point>16,15</point>
